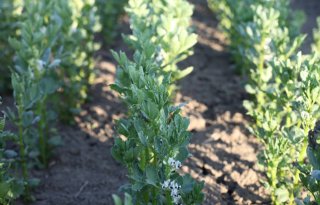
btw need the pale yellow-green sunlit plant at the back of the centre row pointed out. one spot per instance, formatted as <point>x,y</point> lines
<point>167,24</point>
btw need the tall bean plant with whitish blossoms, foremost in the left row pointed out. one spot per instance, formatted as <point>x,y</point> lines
<point>33,81</point>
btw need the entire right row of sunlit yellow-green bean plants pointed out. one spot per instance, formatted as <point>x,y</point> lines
<point>284,86</point>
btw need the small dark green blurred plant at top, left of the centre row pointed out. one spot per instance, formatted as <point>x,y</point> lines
<point>110,12</point>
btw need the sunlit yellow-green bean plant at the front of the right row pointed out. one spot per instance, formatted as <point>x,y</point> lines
<point>290,109</point>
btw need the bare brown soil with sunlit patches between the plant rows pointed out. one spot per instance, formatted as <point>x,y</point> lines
<point>224,153</point>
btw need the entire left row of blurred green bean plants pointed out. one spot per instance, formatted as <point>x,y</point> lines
<point>46,59</point>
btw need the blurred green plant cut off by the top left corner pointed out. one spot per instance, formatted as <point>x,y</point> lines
<point>10,12</point>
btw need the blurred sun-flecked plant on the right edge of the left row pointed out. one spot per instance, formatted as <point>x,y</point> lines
<point>79,23</point>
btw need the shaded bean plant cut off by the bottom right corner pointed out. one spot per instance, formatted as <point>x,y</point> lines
<point>310,173</point>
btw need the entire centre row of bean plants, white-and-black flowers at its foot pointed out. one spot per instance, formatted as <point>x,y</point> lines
<point>153,138</point>
